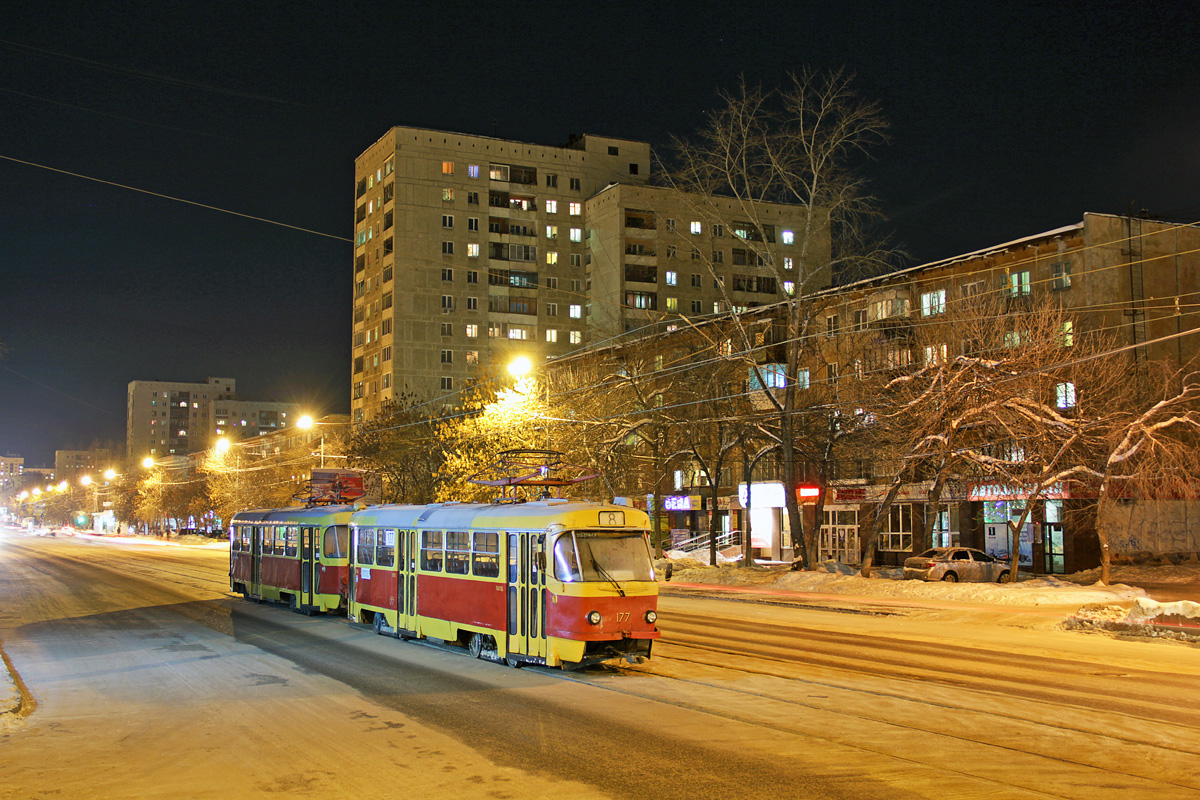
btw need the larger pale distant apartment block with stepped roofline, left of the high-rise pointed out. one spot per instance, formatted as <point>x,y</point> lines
<point>176,418</point>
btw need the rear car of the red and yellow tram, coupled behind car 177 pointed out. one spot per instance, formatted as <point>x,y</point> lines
<point>297,556</point>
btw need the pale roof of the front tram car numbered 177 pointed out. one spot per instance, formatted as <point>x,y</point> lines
<point>533,515</point>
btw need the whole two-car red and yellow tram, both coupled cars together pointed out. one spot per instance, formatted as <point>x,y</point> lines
<point>555,582</point>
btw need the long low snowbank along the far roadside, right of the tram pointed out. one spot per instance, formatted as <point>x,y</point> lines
<point>833,579</point>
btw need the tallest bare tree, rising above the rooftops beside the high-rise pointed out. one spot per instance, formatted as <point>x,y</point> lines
<point>799,146</point>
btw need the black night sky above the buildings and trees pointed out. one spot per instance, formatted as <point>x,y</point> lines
<point>1007,121</point>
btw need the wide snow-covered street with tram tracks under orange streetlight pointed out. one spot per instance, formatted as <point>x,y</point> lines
<point>153,682</point>
